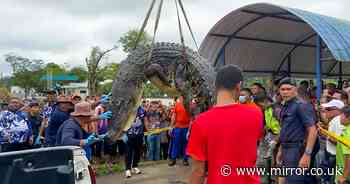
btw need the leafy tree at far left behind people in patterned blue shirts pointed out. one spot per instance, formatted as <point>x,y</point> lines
<point>25,72</point>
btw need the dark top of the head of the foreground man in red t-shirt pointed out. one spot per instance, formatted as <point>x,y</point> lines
<point>228,76</point>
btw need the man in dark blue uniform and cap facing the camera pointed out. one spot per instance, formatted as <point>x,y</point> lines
<point>298,134</point>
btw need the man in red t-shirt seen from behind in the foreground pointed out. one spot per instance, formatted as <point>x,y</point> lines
<point>226,136</point>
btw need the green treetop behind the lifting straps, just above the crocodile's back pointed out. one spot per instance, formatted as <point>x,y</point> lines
<point>129,39</point>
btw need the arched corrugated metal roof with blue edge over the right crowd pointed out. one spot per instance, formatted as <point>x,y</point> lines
<point>259,38</point>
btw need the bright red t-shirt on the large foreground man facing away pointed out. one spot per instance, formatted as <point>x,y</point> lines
<point>227,137</point>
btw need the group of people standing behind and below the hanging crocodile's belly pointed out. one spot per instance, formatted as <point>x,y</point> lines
<point>168,144</point>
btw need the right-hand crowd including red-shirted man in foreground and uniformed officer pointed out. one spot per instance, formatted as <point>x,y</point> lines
<point>272,128</point>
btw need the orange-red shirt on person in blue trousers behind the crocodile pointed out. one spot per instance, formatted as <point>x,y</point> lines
<point>182,117</point>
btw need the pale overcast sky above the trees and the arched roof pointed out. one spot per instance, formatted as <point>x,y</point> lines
<point>63,31</point>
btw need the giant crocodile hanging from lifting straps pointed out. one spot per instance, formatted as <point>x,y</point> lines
<point>172,68</point>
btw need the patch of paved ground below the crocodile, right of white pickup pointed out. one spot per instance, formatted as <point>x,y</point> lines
<point>159,173</point>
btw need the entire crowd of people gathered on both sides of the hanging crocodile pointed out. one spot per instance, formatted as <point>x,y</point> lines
<point>247,127</point>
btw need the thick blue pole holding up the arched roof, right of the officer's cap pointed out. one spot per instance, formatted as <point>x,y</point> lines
<point>318,68</point>
